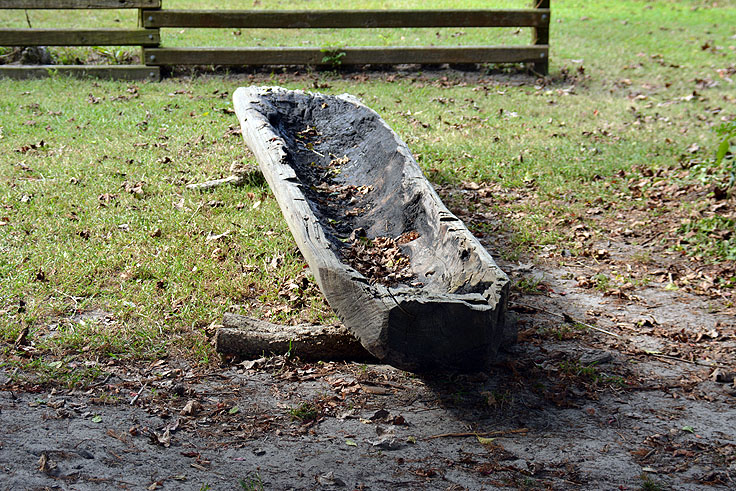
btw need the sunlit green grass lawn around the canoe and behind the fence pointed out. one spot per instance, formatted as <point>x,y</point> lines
<point>105,255</point>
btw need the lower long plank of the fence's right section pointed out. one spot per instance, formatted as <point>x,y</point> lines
<point>352,56</point>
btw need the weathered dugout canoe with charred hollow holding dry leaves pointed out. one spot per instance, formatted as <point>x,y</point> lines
<point>399,269</point>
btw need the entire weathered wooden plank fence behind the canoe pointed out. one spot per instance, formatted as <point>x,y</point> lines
<point>152,18</point>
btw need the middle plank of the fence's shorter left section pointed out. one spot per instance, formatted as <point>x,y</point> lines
<point>79,37</point>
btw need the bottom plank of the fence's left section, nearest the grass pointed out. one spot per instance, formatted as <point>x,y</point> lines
<point>116,72</point>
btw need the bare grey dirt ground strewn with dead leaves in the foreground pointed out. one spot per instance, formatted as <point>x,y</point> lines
<point>571,407</point>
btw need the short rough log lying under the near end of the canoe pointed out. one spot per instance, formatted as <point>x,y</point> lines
<point>246,337</point>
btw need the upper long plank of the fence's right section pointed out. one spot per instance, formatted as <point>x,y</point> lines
<point>344,18</point>
